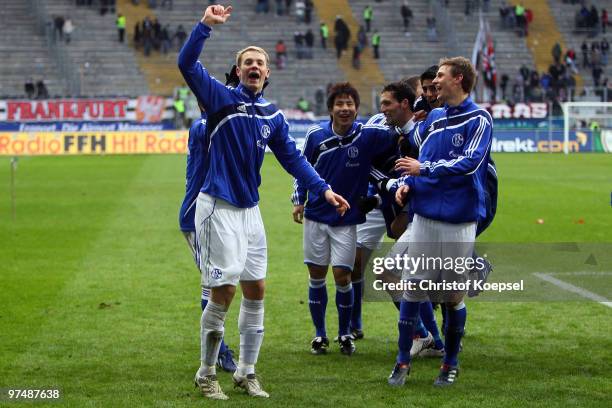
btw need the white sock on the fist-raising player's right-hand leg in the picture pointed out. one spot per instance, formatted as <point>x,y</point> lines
<point>250,325</point>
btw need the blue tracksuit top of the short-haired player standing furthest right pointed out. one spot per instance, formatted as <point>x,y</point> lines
<point>454,154</point>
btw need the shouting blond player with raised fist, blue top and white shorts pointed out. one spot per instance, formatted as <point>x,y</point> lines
<point>230,237</point>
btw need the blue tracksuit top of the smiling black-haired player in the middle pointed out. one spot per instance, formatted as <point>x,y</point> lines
<point>344,161</point>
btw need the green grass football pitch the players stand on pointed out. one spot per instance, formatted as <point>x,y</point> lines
<point>99,295</point>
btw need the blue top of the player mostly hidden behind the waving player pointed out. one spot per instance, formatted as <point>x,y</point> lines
<point>194,173</point>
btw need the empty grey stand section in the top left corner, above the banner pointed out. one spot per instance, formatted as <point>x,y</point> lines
<point>24,52</point>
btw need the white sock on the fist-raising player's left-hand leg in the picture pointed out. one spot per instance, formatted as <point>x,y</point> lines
<point>211,334</point>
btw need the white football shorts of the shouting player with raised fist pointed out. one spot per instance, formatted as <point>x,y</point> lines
<point>230,241</point>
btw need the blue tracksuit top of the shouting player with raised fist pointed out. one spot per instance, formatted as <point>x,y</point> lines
<point>240,126</point>
